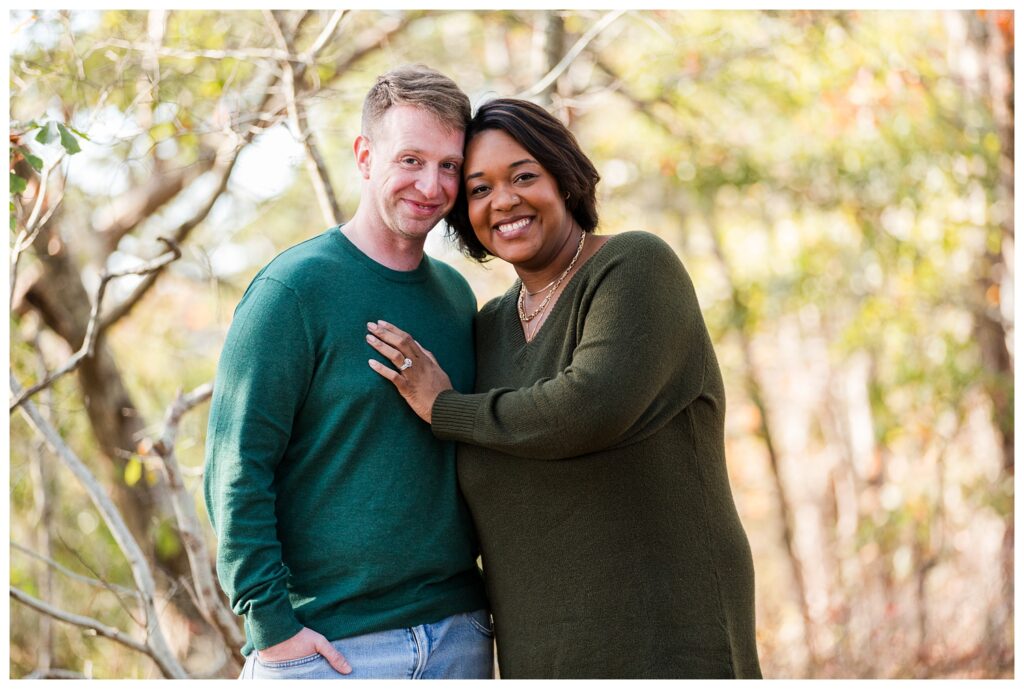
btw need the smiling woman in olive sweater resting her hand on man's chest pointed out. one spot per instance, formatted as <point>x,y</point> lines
<point>593,453</point>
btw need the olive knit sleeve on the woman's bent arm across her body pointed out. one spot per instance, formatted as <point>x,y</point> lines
<point>638,362</point>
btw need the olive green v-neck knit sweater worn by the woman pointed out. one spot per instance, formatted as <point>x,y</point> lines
<point>594,467</point>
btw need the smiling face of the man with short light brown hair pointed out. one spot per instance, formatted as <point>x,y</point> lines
<point>413,167</point>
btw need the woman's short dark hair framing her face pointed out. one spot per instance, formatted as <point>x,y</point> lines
<point>551,145</point>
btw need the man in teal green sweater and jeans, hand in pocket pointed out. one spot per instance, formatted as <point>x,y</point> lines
<point>344,541</point>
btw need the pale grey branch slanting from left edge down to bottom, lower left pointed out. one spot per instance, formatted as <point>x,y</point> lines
<point>156,643</point>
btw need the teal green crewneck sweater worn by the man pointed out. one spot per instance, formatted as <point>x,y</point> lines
<point>334,505</point>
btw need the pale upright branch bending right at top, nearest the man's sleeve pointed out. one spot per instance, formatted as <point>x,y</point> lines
<point>206,593</point>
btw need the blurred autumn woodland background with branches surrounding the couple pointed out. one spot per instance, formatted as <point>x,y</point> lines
<point>839,185</point>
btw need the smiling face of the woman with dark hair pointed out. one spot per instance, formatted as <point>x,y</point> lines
<point>516,207</point>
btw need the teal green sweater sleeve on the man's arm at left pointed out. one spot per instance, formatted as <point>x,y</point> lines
<point>264,375</point>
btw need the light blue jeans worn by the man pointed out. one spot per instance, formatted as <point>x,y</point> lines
<point>460,648</point>
